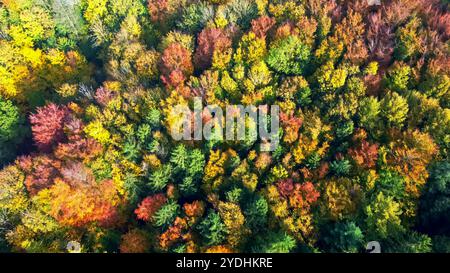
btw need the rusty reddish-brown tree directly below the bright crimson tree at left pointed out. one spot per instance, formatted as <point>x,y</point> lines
<point>40,172</point>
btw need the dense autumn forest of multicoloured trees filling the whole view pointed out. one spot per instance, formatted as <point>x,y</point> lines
<point>88,164</point>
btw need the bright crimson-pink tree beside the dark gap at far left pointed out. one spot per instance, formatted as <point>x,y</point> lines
<point>48,126</point>
